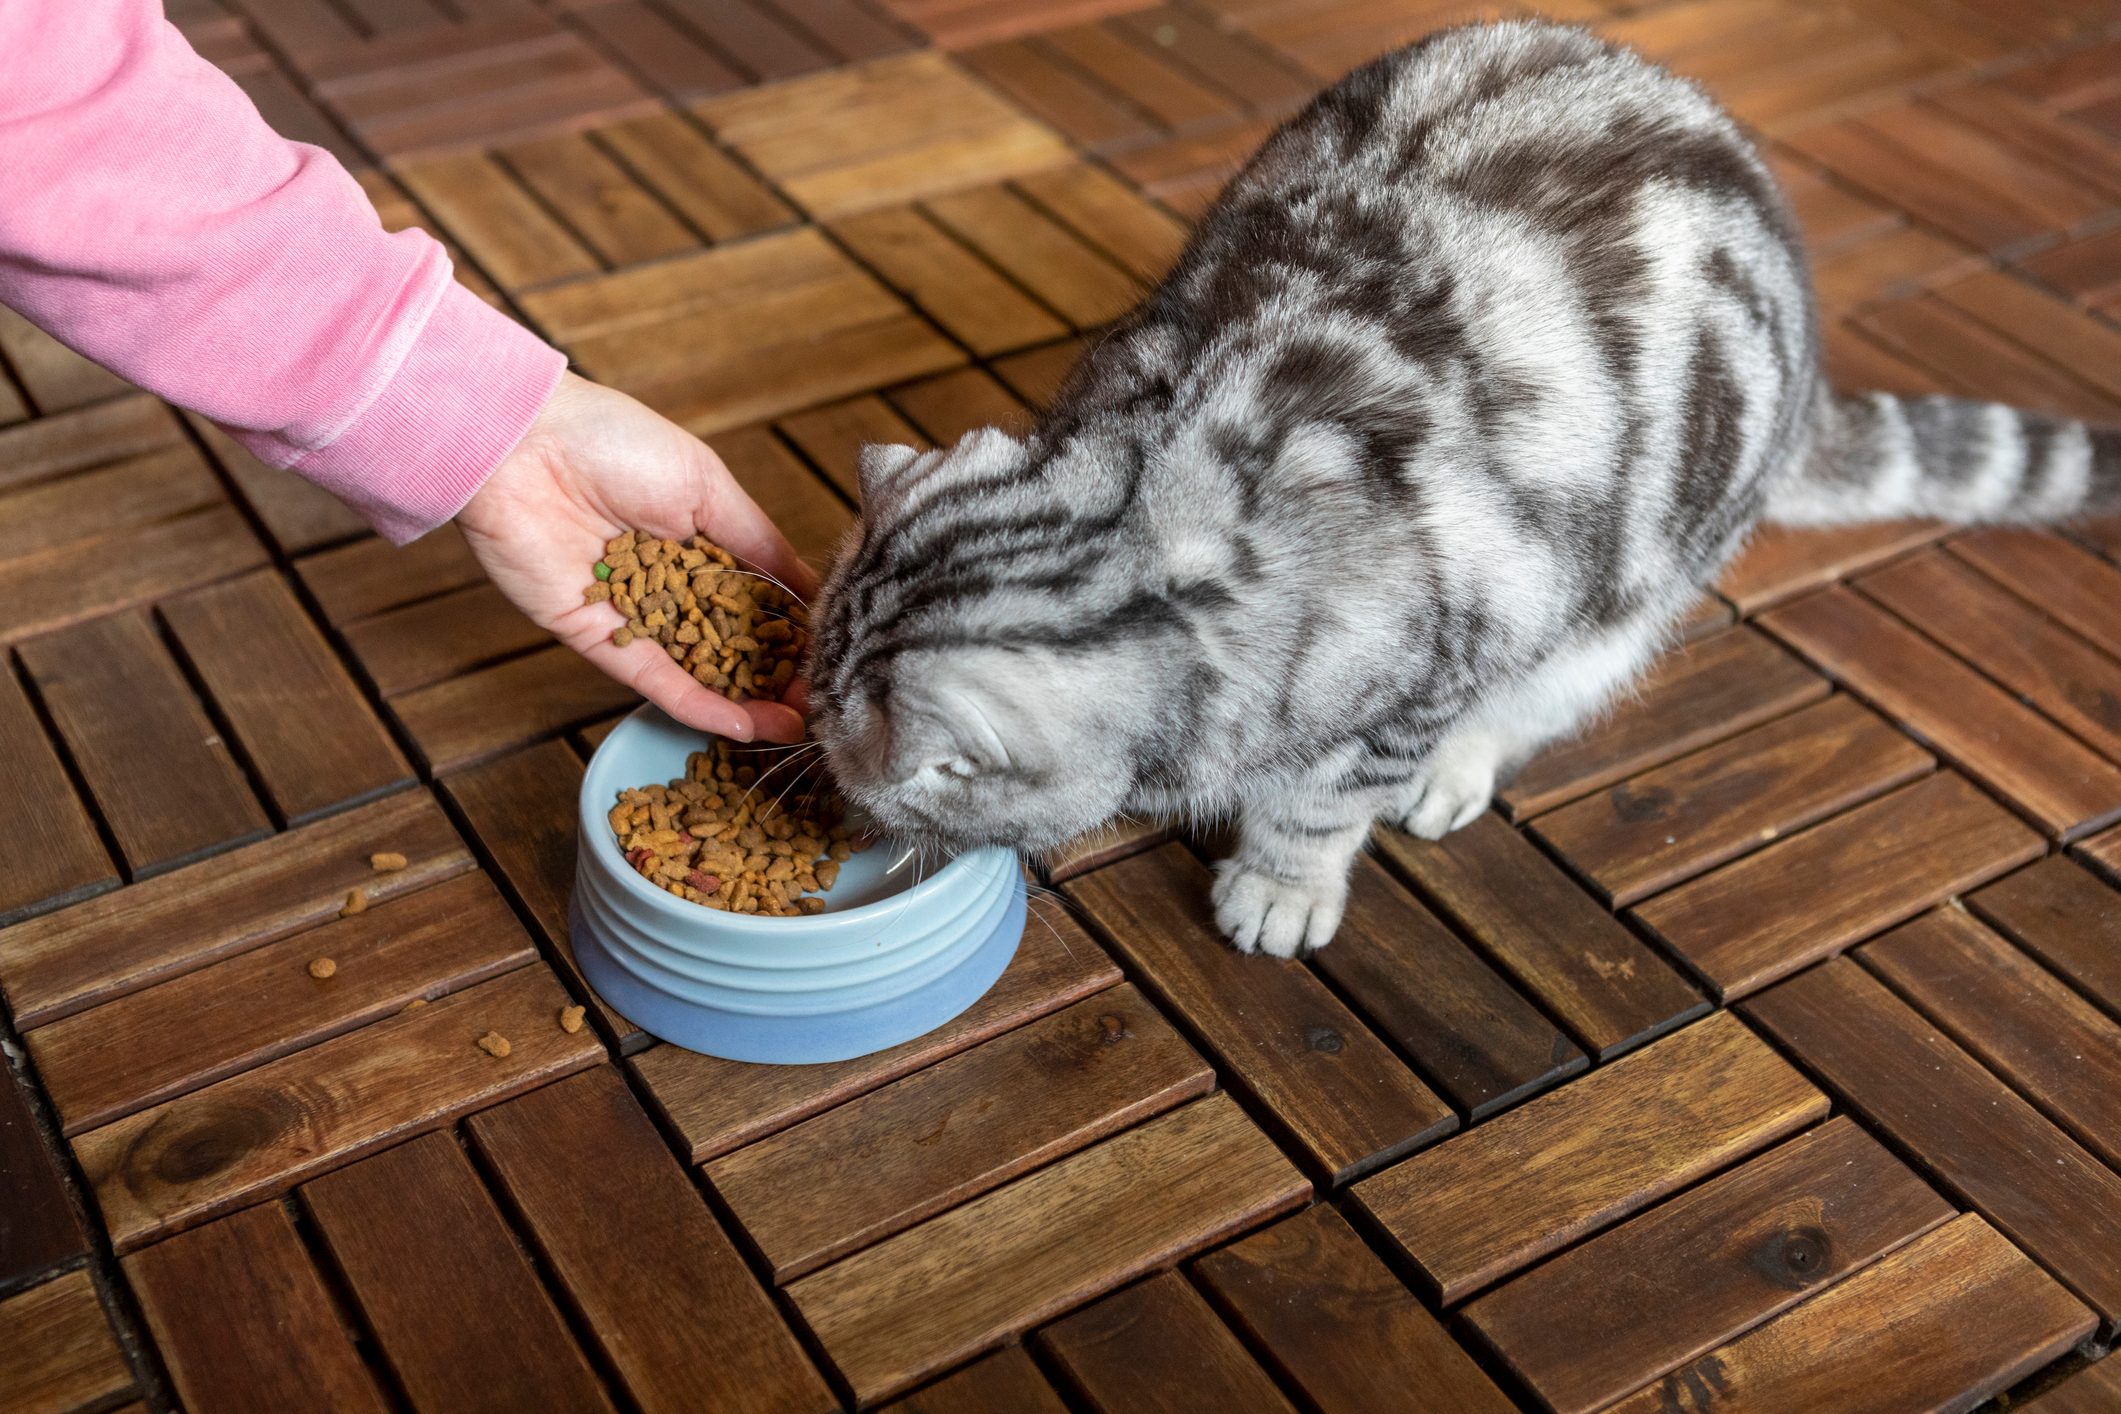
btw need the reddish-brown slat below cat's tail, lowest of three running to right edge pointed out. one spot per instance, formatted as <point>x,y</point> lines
<point>2061,783</point>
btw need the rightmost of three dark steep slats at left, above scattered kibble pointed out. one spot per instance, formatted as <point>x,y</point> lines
<point>294,707</point>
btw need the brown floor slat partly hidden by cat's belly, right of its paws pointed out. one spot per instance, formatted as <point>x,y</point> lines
<point>1694,696</point>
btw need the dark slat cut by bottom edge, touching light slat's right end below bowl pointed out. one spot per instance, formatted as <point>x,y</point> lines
<point>1339,1326</point>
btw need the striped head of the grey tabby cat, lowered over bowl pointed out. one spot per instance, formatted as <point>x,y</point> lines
<point>987,667</point>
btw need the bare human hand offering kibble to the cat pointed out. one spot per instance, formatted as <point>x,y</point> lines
<point>593,465</point>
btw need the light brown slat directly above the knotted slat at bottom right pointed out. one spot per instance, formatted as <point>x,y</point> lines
<point>1554,1169</point>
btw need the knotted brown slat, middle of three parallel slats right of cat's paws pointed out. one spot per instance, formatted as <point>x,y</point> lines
<point>1728,800</point>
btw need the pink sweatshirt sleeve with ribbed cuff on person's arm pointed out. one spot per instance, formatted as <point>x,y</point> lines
<point>156,224</point>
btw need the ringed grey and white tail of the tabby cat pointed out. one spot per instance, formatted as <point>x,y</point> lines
<point>1880,457</point>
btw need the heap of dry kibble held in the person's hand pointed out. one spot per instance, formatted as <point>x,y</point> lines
<point>733,631</point>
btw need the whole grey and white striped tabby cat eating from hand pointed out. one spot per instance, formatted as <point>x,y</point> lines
<point>1452,408</point>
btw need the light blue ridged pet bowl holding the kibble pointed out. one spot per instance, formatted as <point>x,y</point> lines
<point>898,951</point>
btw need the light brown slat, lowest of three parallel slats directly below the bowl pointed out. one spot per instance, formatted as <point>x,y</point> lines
<point>975,1277</point>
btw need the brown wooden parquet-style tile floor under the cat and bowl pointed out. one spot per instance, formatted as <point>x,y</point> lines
<point>1759,1053</point>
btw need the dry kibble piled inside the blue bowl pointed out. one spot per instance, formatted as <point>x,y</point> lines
<point>714,841</point>
